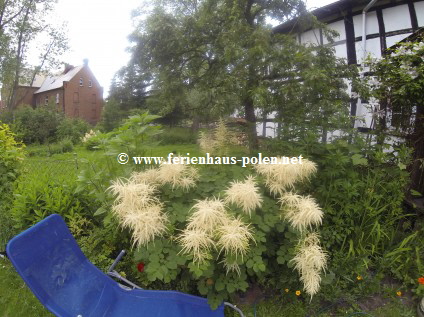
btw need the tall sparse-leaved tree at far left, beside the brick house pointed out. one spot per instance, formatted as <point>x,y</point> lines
<point>22,24</point>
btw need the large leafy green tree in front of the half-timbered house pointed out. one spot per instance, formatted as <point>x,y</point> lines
<point>226,52</point>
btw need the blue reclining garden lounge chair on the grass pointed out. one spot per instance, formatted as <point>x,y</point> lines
<point>53,266</point>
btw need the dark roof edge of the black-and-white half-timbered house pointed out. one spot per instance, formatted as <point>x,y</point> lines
<point>333,10</point>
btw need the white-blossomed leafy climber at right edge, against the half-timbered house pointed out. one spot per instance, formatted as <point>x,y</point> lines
<point>398,85</point>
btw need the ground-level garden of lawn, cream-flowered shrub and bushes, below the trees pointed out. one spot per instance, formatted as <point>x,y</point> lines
<point>329,237</point>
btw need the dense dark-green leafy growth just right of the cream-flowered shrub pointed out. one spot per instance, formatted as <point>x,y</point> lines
<point>362,190</point>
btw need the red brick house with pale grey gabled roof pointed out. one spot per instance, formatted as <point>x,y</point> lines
<point>75,91</point>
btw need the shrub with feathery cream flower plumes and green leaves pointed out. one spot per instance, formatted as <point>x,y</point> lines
<point>223,227</point>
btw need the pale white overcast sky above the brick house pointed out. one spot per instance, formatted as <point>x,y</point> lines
<point>98,30</point>
